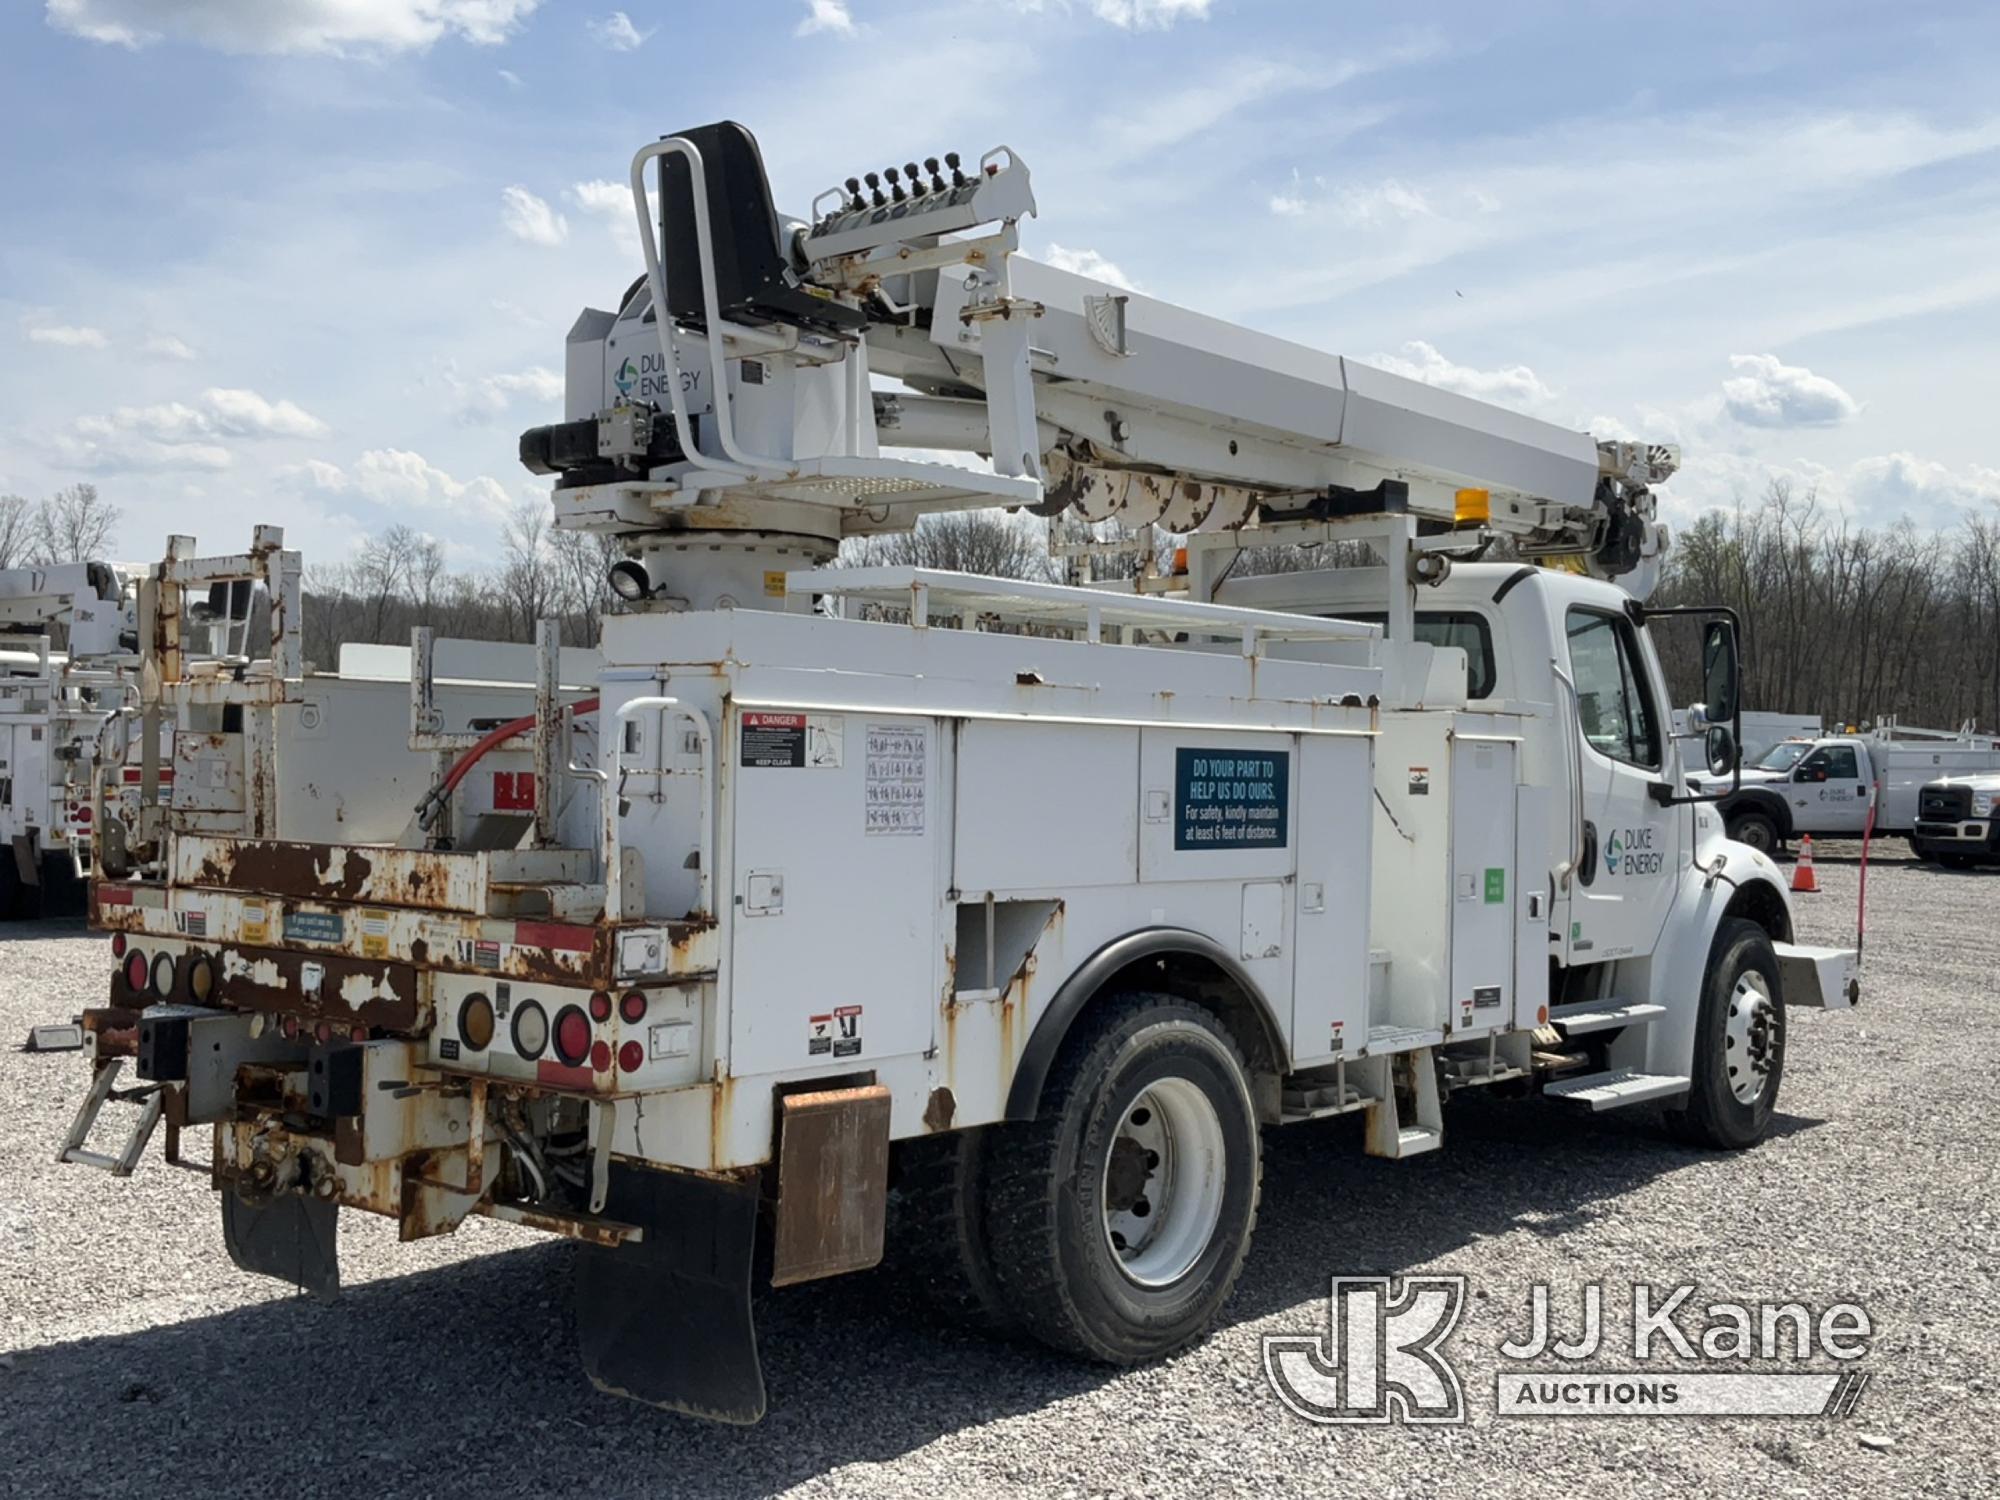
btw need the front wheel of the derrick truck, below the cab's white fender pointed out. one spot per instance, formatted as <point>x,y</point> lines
<point>1739,1043</point>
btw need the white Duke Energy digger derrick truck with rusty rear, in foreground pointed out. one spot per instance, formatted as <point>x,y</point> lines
<point>1031,923</point>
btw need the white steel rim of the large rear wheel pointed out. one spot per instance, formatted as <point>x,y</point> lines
<point>1163,1183</point>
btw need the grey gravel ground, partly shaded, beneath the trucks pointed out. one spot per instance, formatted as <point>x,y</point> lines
<point>139,1359</point>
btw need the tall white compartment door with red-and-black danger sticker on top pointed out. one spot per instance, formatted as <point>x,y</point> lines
<point>837,825</point>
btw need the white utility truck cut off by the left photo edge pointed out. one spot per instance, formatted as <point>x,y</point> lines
<point>67,639</point>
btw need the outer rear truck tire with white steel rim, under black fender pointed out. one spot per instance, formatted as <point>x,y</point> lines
<point>1123,1213</point>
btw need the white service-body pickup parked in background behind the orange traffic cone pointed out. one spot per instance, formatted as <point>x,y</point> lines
<point>1825,787</point>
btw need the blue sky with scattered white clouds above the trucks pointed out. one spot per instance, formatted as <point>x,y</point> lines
<point>313,263</point>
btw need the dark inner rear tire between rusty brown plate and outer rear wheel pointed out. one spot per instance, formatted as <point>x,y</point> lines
<point>941,1229</point>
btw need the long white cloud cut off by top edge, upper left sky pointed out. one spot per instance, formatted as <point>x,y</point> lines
<point>337,27</point>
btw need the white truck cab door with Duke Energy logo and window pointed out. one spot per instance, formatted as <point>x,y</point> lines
<point>1625,883</point>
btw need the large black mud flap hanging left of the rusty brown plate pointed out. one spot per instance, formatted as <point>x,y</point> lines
<point>667,1321</point>
